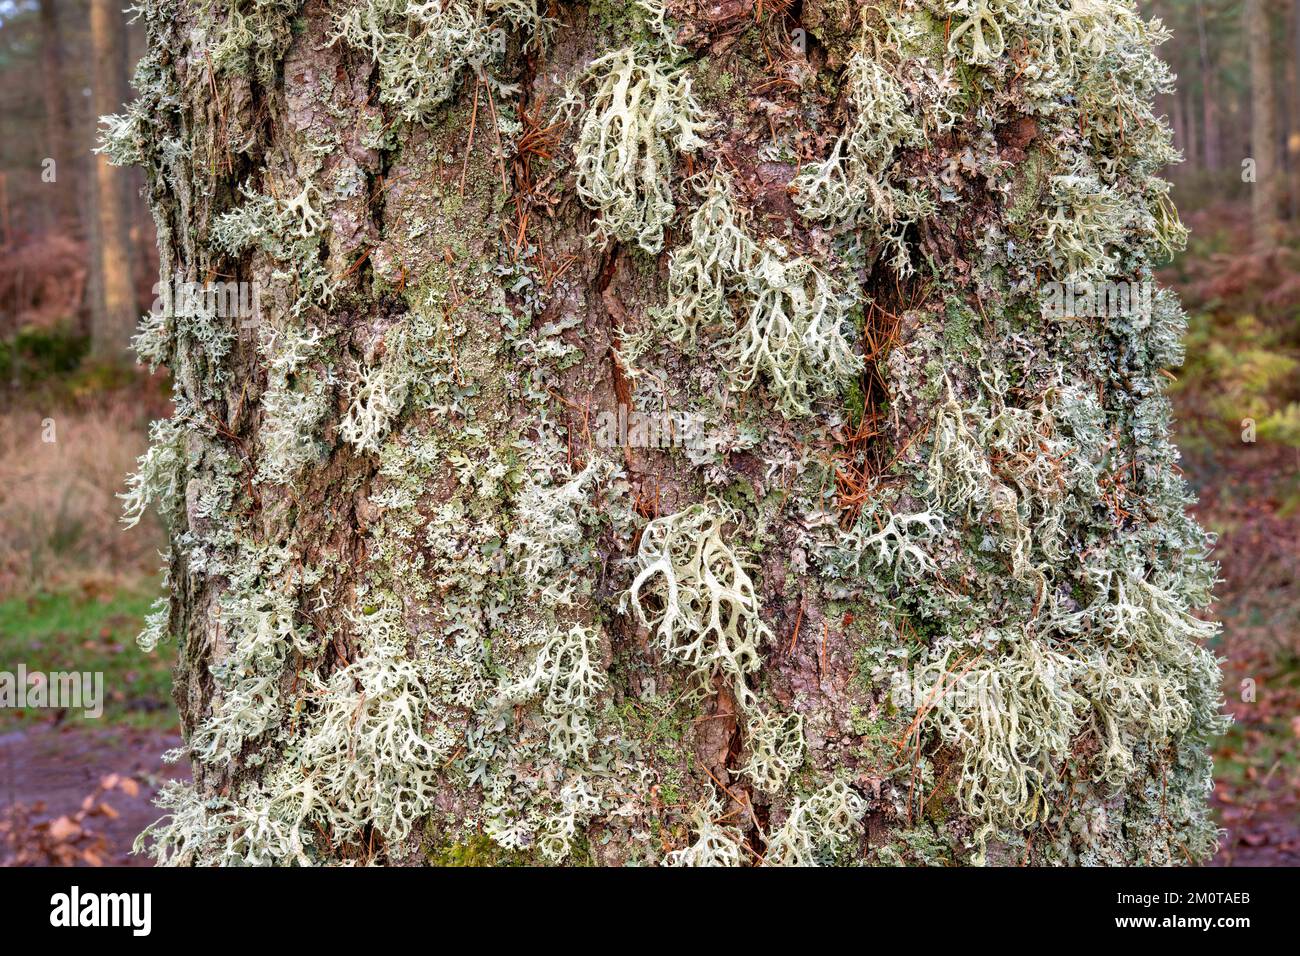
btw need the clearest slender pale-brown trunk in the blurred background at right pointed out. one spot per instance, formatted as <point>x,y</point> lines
<point>1267,191</point>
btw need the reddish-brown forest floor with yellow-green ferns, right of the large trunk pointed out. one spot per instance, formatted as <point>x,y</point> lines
<point>1243,377</point>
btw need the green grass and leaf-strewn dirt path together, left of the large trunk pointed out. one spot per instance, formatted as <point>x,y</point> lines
<point>75,789</point>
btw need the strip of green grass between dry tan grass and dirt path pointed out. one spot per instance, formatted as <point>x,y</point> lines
<point>76,631</point>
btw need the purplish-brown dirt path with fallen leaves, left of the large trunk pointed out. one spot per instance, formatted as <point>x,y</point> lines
<point>80,795</point>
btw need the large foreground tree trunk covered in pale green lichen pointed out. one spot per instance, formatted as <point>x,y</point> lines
<point>638,455</point>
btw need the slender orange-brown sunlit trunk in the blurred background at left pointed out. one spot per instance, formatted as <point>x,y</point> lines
<point>115,308</point>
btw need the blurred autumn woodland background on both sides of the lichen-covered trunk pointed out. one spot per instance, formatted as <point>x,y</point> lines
<point>79,266</point>
